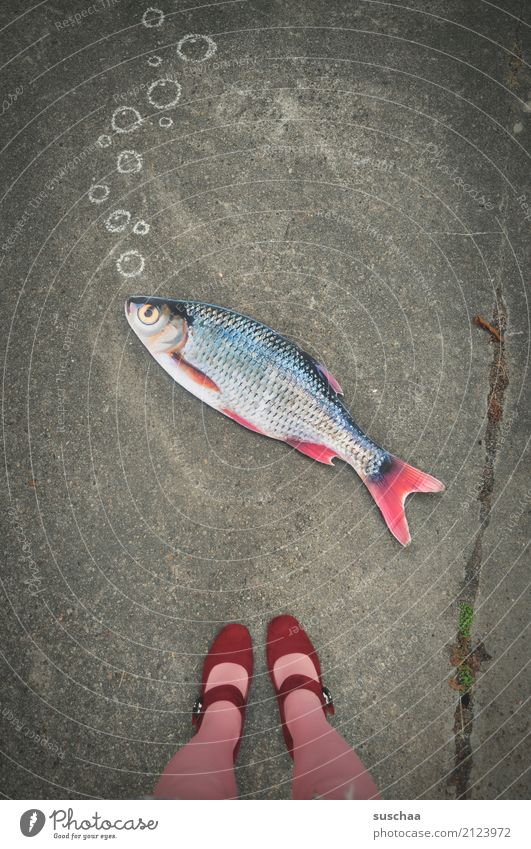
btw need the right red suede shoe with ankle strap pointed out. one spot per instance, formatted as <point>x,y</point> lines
<point>285,635</point>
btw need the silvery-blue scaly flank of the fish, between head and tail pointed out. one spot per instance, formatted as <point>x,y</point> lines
<point>250,362</point>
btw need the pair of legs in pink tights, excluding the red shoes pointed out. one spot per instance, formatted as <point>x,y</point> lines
<point>324,765</point>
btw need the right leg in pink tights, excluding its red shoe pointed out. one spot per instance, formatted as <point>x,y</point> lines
<point>325,766</point>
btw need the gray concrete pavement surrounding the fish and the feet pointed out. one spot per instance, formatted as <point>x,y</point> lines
<point>356,176</point>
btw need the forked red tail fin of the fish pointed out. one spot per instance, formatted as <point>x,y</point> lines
<point>392,489</point>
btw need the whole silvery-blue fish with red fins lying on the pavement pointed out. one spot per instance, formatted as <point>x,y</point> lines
<point>266,383</point>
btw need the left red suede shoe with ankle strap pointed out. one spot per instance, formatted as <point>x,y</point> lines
<point>233,644</point>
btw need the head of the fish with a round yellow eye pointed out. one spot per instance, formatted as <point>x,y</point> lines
<point>157,323</point>
